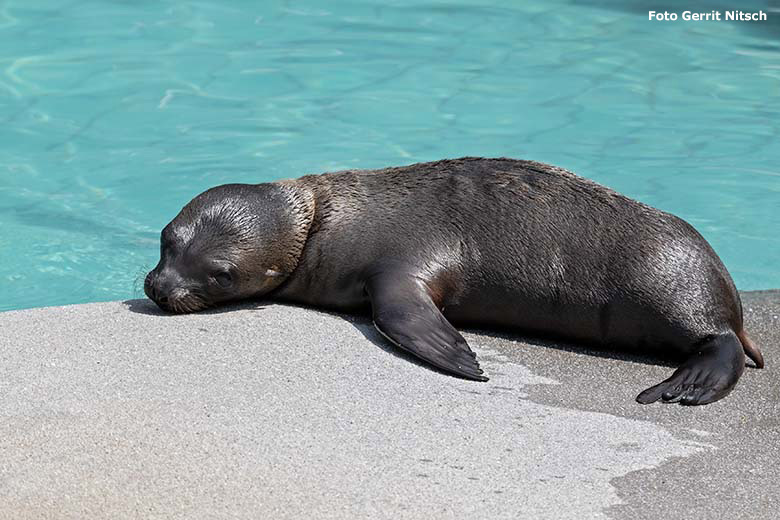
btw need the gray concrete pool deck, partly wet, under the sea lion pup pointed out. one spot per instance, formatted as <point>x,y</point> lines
<point>268,411</point>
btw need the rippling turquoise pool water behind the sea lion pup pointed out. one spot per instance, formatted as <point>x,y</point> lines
<point>114,114</point>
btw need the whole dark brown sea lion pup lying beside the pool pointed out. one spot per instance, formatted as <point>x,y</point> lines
<point>488,242</point>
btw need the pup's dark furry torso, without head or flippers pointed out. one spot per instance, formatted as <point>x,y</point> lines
<point>518,244</point>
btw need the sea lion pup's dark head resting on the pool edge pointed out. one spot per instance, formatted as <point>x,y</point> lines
<point>230,242</point>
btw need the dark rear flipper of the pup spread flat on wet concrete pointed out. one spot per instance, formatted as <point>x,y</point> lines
<point>708,375</point>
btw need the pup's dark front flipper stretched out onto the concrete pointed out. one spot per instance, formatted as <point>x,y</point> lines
<point>406,315</point>
